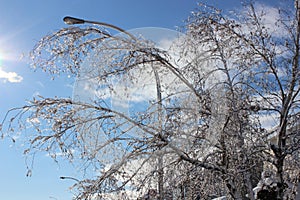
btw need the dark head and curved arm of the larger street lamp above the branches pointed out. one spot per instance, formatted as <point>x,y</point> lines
<point>72,20</point>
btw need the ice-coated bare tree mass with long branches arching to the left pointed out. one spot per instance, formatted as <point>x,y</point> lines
<point>225,109</point>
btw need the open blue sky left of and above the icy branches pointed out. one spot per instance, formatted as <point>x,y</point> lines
<point>22,24</point>
